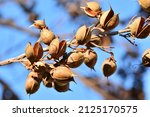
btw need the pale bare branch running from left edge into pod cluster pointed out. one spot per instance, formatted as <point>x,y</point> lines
<point>16,59</point>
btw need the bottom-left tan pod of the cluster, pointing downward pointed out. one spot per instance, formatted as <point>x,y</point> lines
<point>32,83</point>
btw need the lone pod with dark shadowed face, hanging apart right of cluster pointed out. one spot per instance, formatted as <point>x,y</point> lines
<point>109,67</point>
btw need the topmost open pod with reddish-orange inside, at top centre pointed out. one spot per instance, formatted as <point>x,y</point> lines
<point>92,9</point>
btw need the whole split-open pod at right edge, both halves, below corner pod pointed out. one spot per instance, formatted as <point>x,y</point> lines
<point>138,29</point>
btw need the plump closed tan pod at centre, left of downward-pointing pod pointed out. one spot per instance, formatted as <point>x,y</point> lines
<point>75,59</point>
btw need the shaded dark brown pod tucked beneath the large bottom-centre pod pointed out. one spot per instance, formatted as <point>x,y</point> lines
<point>61,88</point>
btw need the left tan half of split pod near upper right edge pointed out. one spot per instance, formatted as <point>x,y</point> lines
<point>136,25</point>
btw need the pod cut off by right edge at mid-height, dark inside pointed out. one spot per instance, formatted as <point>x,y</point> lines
<point>146,58</point>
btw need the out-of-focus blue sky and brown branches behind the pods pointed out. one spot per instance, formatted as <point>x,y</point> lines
<point>64,17</point>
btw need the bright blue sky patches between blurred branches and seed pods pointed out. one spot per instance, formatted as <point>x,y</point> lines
<point>15,75</point>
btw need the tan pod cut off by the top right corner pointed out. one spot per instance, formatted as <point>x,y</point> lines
<point>145,4</point>
